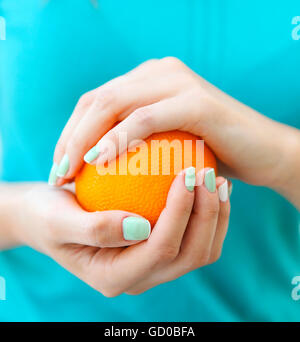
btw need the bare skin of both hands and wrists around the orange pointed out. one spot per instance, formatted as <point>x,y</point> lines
<point>159,95</point>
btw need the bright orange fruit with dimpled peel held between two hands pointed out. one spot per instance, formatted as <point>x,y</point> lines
<point>143,194</point>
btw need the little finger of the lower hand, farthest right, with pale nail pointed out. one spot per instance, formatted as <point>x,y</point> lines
<point>223,219</point>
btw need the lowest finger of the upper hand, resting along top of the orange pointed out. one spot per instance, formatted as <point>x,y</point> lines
<point>161,116</point>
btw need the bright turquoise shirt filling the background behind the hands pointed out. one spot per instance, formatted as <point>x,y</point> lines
<point>57,50</point>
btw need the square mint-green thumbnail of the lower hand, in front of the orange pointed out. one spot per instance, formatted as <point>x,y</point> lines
<point>136,228</point>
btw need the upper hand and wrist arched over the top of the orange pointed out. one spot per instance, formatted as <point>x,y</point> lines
<point>162,95</point>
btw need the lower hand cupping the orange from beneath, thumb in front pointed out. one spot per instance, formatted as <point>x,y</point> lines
<point>189,234</point>
